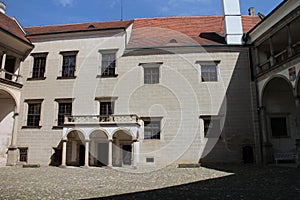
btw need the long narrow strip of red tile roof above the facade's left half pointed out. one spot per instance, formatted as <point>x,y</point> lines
<point>42,30</point>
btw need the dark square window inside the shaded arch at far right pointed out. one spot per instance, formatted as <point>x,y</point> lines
<point>279,126</point>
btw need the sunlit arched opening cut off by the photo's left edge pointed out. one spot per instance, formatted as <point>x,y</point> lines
<point>7,110</point>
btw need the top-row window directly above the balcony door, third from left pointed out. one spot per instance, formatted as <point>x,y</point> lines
<point>108,64</point>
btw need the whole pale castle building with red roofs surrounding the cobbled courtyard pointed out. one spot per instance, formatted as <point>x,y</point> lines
<point>148,92</point>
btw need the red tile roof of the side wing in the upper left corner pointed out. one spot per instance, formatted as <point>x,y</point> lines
<point>10,25</point>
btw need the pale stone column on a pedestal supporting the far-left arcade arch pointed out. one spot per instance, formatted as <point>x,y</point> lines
<point>12,155</point>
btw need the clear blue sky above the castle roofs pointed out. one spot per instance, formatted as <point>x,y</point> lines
<point>49,12</point>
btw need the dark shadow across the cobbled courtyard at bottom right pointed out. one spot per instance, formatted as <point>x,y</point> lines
<point>247,182</point>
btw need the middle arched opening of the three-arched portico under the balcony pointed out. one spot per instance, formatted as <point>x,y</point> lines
<point>98,149</point>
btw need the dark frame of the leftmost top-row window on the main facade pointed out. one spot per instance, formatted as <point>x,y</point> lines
<point>40,67</point>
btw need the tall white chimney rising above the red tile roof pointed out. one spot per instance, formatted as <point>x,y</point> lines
<point>232,22</point>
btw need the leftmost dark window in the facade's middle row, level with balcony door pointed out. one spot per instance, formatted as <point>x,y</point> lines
<point>34,114</point>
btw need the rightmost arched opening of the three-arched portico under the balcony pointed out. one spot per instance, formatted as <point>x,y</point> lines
<point>122,148</point>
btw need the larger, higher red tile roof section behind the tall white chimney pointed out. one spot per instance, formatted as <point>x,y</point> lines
<point>183,31</point>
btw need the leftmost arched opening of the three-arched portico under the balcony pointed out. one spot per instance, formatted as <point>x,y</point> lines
<point>75,149</point>
